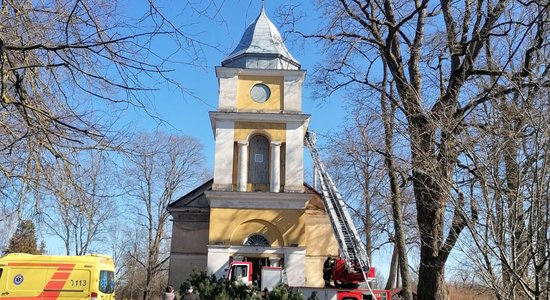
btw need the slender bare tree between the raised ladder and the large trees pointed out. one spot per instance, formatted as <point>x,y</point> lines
<point>356,168</point>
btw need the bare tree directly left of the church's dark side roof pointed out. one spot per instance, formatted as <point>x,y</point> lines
<point>161,168</point>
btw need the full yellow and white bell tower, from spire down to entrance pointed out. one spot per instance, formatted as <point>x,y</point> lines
<point>258,189</point>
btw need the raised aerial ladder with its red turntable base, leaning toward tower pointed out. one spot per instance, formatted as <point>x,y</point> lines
<point>352,252</point>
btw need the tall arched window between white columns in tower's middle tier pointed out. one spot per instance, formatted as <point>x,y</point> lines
<point>258,163</point>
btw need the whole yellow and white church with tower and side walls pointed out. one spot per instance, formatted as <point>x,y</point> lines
<point>257,207</point>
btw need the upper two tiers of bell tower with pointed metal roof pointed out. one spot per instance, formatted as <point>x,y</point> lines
<point>259,125</point>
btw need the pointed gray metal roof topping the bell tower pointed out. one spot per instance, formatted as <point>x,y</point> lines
<point>261,47</point>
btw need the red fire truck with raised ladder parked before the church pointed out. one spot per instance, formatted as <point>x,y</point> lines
<point>349,271</point>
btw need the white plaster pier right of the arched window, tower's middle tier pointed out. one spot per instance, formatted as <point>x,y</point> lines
<point>294,169</point>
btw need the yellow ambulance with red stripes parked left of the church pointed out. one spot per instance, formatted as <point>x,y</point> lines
<point>34,277</point>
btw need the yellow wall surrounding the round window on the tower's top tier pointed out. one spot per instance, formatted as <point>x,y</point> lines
<point>275,101</point>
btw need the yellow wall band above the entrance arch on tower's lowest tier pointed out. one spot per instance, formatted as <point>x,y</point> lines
<point>281,227</point>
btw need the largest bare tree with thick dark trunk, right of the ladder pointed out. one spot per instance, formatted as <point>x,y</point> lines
<point>434,55</point>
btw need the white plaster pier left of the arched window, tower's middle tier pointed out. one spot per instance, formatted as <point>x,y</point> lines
<point>223,156</point>
